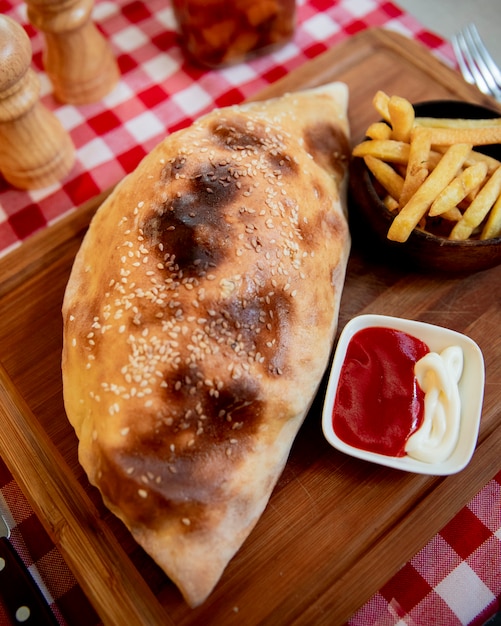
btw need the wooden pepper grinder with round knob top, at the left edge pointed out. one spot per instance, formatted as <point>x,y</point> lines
<point>35,149</point>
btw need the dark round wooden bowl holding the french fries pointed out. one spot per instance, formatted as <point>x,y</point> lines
<point>422,250</point>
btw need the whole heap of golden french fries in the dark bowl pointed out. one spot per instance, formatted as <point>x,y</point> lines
<point>431,174</point>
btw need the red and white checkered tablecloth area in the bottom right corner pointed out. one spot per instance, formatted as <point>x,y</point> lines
<point>455,579</point>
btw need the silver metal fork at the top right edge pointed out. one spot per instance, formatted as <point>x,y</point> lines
<point>476,64</point>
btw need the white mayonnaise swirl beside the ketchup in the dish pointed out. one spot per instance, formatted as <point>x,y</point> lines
<point>438,376</point>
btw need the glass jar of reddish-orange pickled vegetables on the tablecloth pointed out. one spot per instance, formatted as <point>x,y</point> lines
<point>216,33</point>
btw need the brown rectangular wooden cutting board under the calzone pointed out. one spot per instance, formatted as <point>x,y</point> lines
<point>336,529</point>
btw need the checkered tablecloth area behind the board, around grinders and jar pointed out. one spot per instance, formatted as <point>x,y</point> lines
<point>159,93</point>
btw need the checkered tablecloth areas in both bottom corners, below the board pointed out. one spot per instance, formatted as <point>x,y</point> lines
<point>454,580</point>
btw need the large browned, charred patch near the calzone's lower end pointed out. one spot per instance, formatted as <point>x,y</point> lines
<point>156,473</point>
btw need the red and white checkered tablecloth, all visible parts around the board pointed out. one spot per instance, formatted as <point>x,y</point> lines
<point>456,577</point>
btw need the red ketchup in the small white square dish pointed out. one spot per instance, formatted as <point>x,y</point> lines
<point>379,403</point>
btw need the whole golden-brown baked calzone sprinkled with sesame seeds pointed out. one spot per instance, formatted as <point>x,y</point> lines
<point>198,322</point>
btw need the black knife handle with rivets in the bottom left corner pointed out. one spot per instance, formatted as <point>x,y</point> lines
<point>19,591</point>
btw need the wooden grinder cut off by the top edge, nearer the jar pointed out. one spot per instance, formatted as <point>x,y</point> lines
<point>77,58</point>
